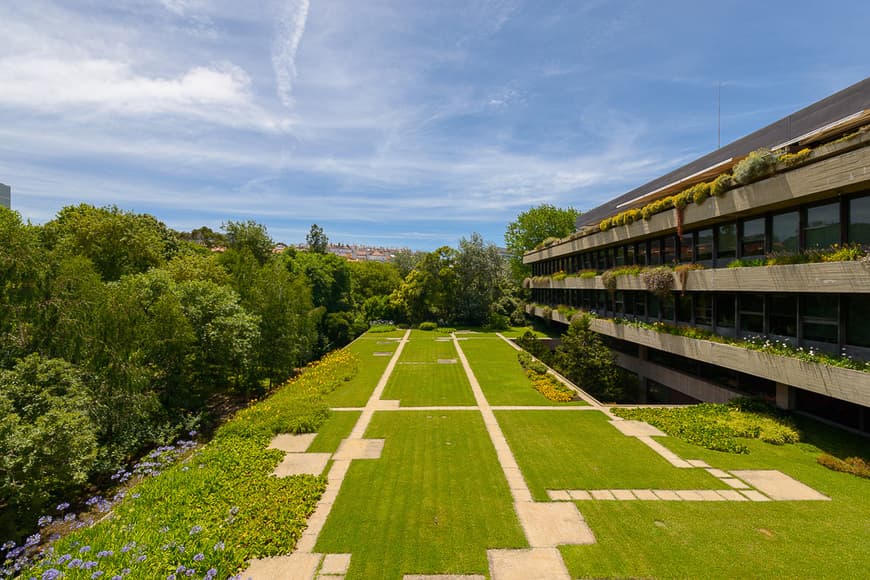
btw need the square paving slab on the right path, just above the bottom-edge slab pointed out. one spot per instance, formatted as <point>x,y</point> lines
<point>548,525</point>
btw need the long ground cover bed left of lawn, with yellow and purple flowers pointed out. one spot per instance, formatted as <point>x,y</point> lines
<point>215,509</point>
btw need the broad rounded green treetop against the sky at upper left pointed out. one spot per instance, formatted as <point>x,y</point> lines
<point>117,242</point>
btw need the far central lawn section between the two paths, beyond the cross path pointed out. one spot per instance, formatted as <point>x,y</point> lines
<point>419,380</point>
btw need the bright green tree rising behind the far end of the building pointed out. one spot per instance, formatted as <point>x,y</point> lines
<point>532,227</point>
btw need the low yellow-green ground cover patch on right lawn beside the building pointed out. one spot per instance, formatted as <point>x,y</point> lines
<point>719,426</point>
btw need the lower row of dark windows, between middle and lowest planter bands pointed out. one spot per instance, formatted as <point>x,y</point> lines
<point>813,319</point>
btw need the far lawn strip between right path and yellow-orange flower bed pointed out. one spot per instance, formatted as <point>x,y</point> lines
<point>502,379</point>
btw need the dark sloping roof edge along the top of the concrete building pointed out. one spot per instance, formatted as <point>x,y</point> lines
<point>829,110</point>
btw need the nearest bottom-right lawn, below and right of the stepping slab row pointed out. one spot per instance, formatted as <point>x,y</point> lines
<point>795,539</point>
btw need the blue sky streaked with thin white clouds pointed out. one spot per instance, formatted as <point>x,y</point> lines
<point>402,123</point>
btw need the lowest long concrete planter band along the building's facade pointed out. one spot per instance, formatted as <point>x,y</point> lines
<point>839,383</point>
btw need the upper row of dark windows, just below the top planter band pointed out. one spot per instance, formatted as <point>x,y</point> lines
<point>808,227</point>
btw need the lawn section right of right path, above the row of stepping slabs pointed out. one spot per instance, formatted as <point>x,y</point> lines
<point>580,450</point>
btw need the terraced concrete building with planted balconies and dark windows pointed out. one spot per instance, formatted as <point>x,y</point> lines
<point>761,287</point>
